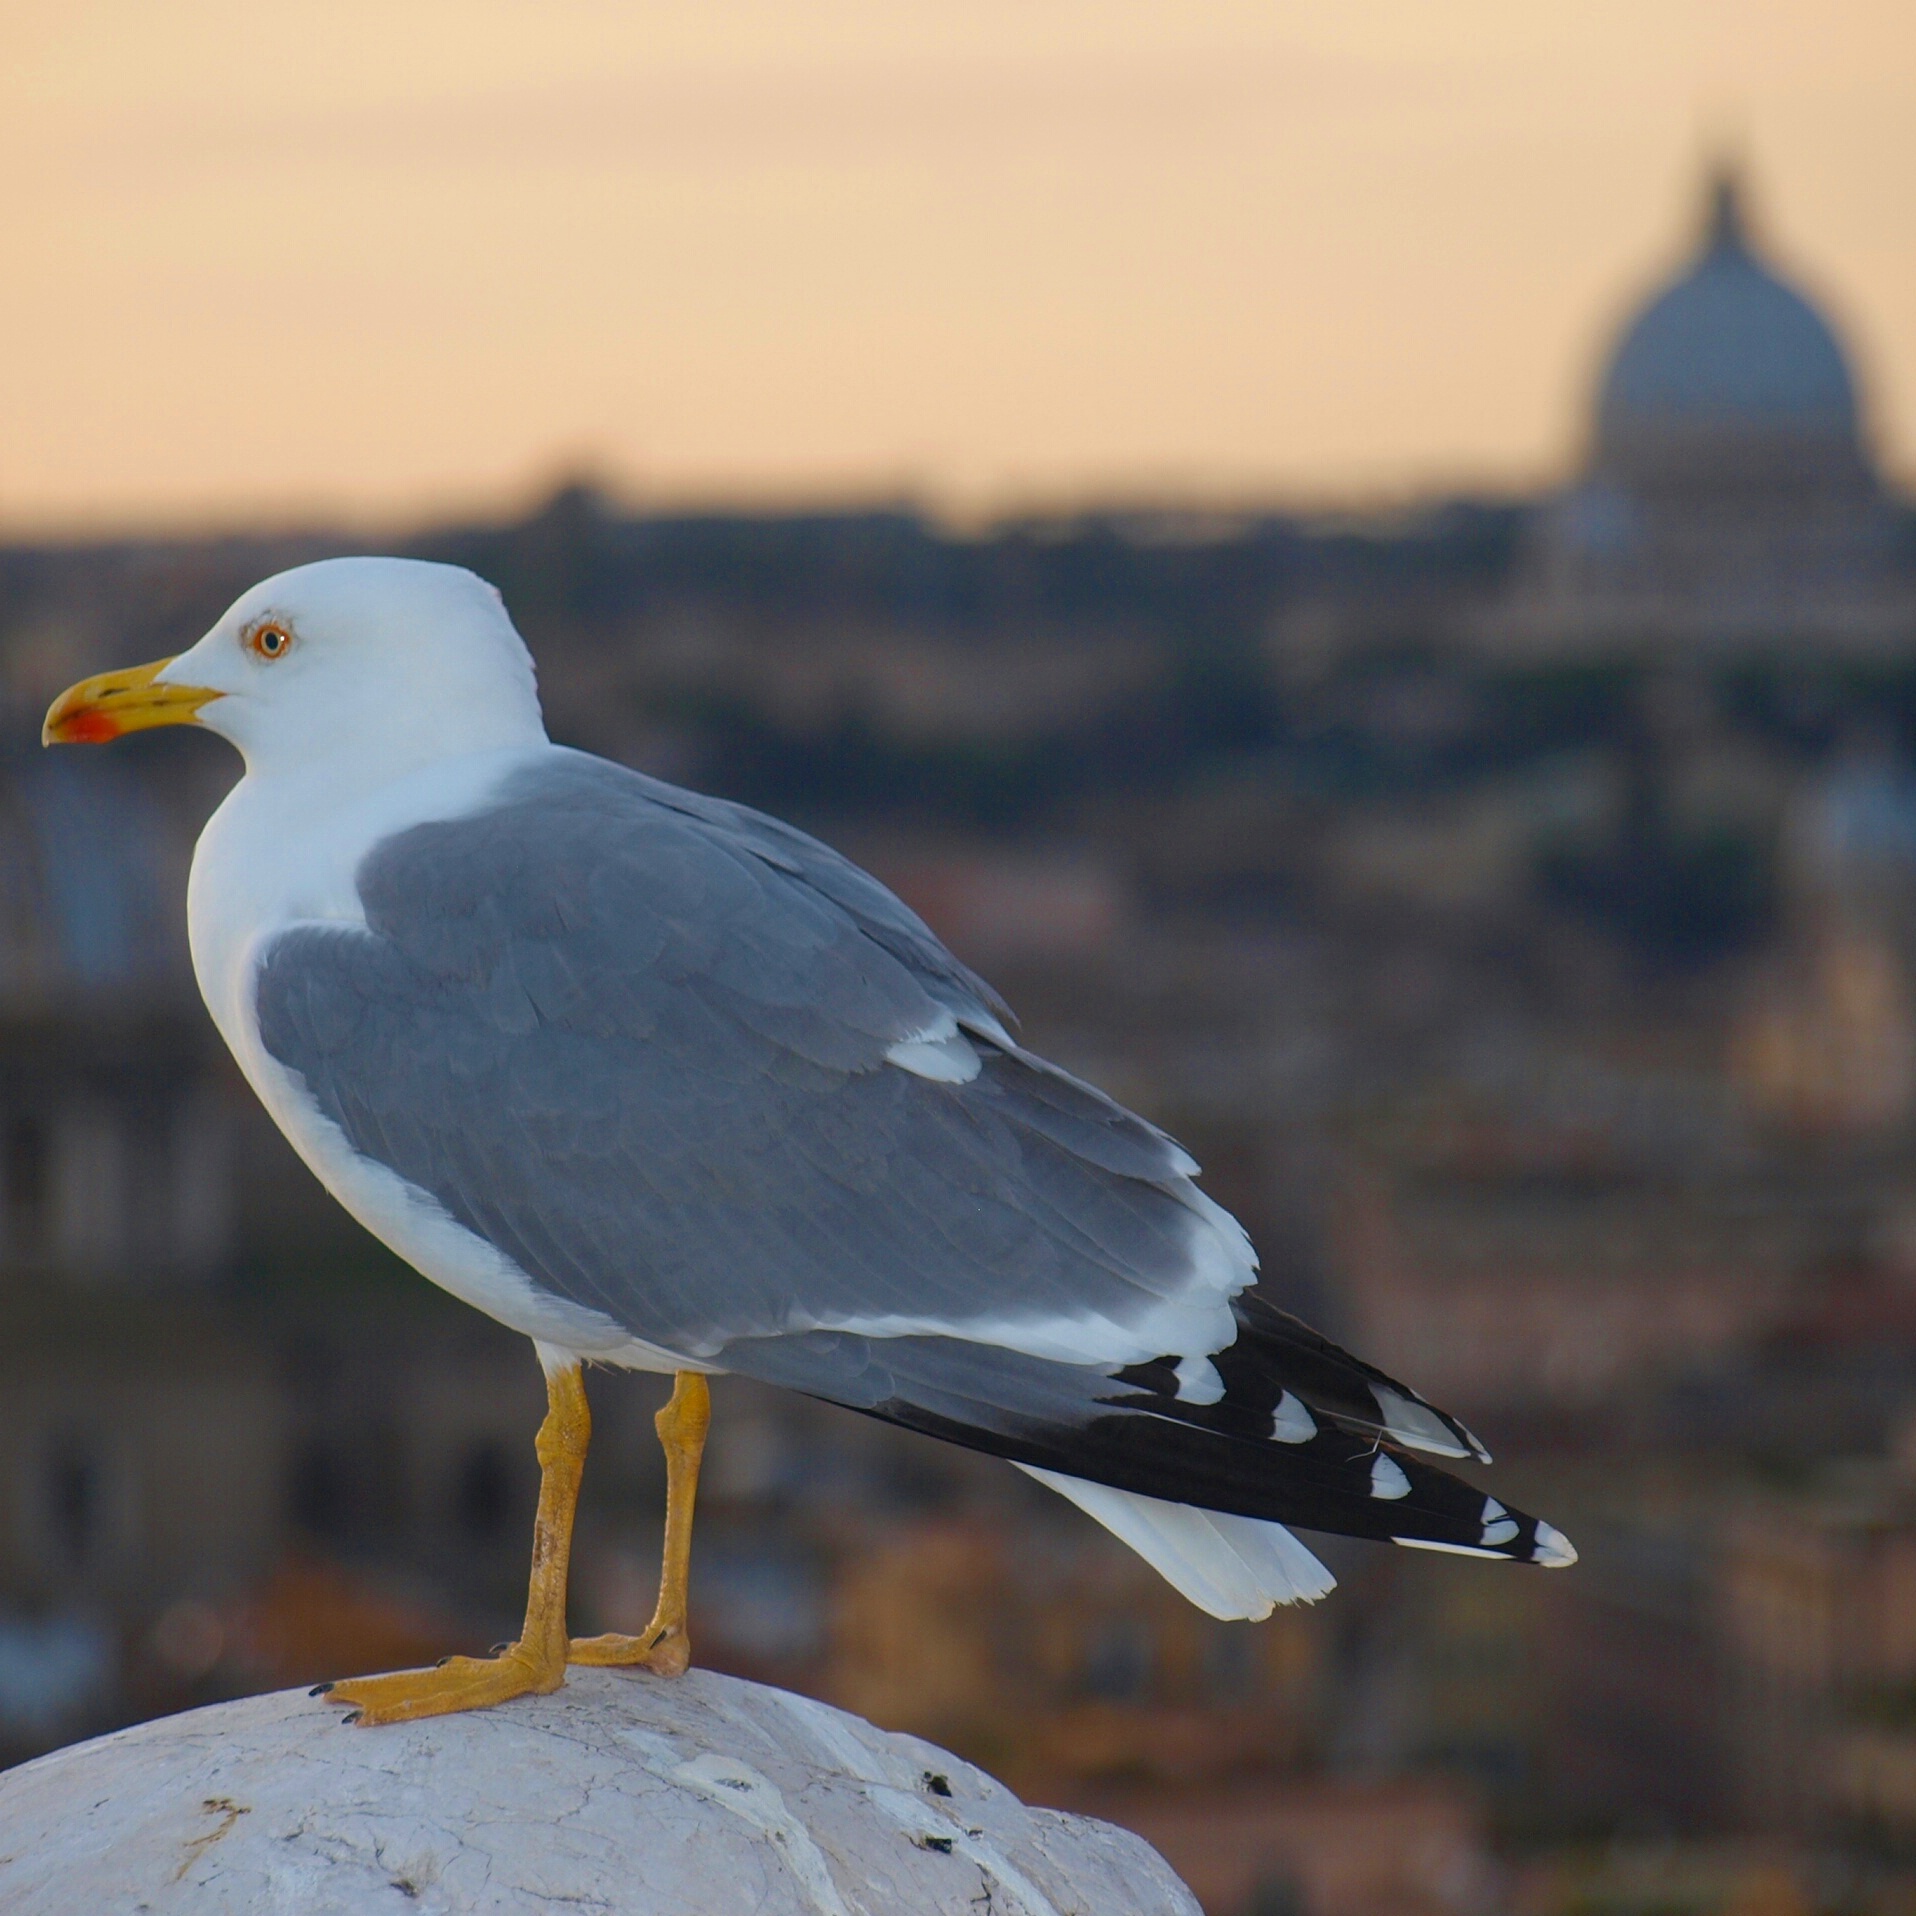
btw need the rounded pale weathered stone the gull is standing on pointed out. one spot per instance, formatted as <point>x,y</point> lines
<point>622,1794</point>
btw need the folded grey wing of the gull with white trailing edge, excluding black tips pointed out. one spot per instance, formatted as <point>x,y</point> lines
<point>650,1049</point>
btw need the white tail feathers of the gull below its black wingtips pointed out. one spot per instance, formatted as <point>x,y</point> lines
<point>1227,1566</point>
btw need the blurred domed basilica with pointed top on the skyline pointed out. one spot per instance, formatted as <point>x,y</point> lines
<point>1729,501</point>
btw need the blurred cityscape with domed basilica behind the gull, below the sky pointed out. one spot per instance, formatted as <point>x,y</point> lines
<point>1513,903</point>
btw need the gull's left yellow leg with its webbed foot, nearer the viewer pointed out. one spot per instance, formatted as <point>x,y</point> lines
<point>536,1664</point>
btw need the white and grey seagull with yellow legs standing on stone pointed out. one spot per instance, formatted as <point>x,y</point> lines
<point>664,1083</point>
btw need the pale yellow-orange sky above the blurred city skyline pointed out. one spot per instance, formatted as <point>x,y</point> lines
<point>384,258</point>
